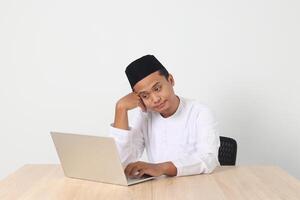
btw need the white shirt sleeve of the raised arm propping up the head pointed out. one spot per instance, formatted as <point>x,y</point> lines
<point>130,143</point>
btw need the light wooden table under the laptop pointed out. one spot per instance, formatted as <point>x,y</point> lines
<point>232,183</point>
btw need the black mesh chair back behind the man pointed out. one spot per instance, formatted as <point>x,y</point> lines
<point>227,151</point>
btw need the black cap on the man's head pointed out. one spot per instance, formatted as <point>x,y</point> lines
<point>142,67</point>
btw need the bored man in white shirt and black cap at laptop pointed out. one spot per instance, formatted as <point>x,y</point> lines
<point>179,135</point>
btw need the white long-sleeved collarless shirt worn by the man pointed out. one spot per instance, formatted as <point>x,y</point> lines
<point>189,138</point>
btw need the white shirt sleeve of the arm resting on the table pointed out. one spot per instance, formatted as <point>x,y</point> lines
<point>204,157</point>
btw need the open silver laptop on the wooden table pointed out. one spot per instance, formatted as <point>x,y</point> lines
<point>91,158</point>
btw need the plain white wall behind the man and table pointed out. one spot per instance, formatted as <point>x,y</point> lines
<point>62,68</point>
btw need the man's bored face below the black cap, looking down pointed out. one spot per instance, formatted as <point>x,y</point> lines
<point>156,92</point>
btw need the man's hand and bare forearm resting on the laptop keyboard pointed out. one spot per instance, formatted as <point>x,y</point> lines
<point>138,169</point>
